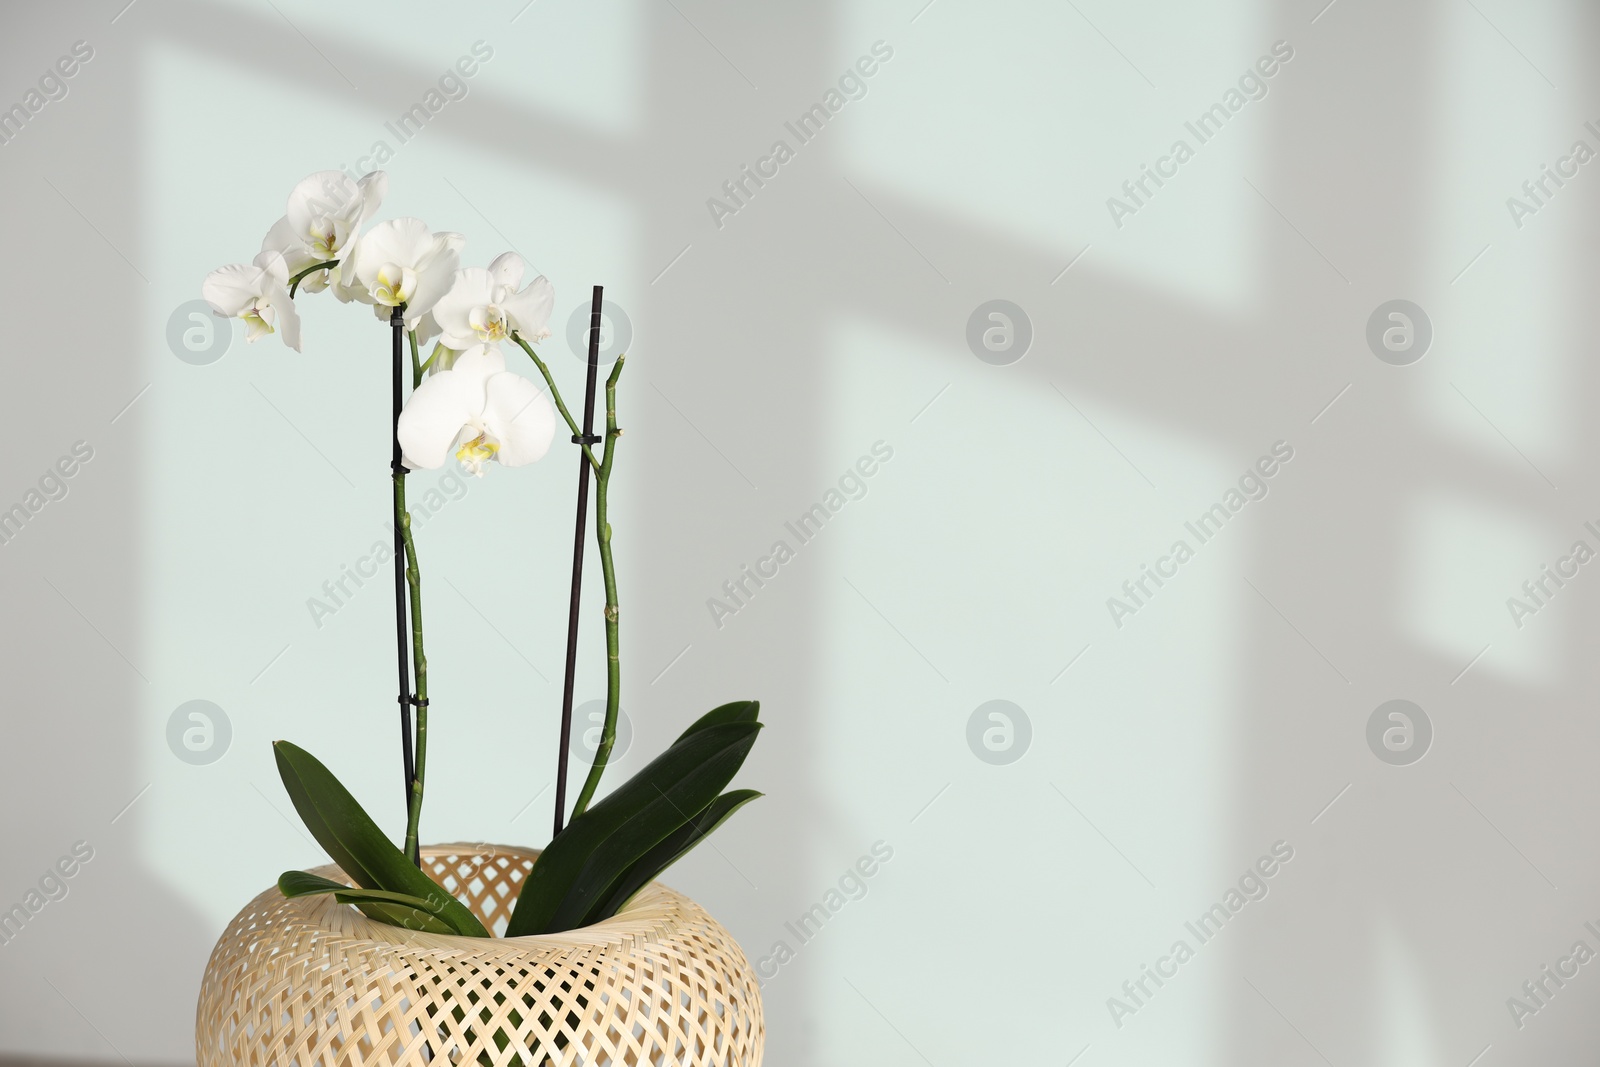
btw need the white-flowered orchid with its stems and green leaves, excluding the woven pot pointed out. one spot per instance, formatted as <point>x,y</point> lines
<point>478,412</point>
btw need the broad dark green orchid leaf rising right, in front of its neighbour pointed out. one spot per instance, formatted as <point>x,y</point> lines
<point>575,871</point>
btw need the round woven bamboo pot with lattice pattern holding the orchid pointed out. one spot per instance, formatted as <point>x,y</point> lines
<point>313,983</point>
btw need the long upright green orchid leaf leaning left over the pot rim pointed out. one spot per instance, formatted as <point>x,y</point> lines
<point>354,842</point>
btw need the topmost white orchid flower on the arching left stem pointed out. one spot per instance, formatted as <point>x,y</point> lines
<point>322,223</point>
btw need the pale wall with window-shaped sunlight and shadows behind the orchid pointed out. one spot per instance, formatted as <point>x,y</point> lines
<point>1174,346</point>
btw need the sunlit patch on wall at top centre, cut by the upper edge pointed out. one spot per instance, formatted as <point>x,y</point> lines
<point>996,174</point>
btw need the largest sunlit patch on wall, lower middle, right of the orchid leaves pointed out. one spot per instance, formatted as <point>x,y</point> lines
<point>935,609</point>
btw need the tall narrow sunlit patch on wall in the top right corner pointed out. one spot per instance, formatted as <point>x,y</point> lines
<point>1503,356</point>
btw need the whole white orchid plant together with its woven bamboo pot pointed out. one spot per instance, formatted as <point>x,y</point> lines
<point>431,914</point>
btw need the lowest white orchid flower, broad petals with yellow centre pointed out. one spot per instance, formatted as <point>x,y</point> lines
<point>481,412</point>
